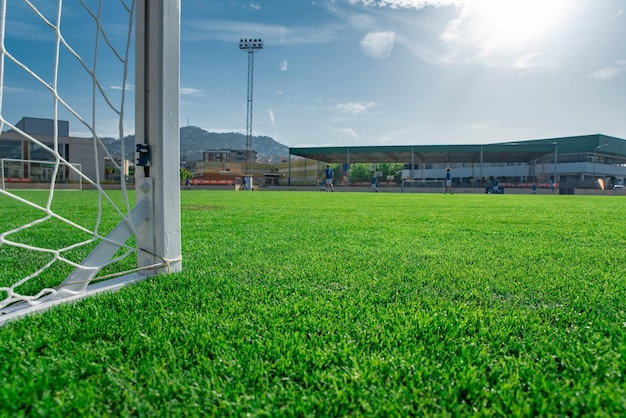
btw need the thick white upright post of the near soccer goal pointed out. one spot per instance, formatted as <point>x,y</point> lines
<point>157,130</point>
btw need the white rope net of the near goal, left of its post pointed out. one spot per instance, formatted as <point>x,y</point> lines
<point>72,59</point>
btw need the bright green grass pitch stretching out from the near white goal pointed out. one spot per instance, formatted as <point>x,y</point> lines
<point>347,304</point>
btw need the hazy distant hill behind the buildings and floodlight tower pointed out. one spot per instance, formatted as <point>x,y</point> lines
<point>194,140</point>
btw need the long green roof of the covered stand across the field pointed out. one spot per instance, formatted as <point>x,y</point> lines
<point>508,152</point>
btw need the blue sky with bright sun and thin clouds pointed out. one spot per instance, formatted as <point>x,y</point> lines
<point>392,72</point>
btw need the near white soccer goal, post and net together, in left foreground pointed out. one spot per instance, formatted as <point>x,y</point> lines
<point>124,242</point>
